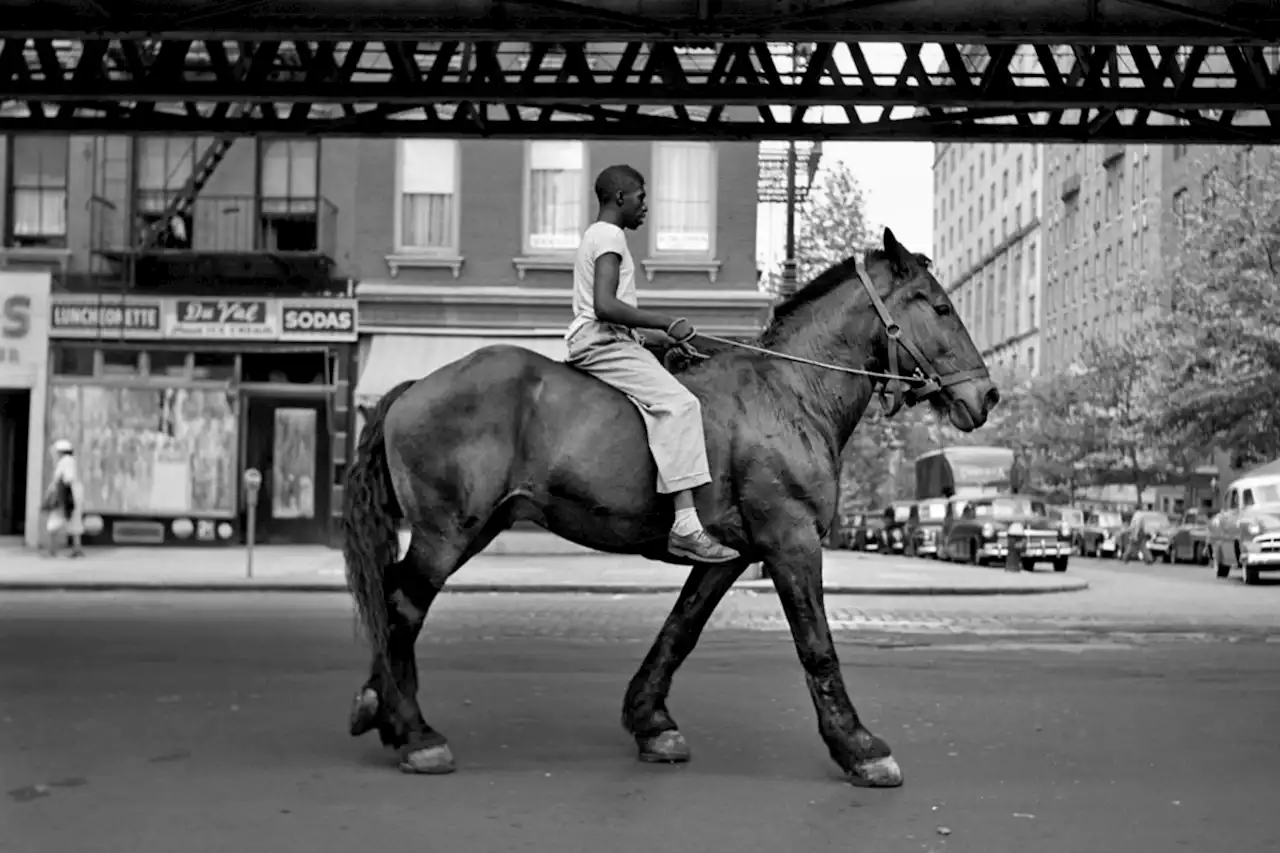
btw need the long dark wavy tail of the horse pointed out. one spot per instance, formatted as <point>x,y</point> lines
<point>371,513</point>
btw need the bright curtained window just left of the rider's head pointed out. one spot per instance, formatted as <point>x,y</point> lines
<point>557,195</point>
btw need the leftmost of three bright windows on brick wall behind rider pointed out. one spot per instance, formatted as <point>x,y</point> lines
<point>428,197</point>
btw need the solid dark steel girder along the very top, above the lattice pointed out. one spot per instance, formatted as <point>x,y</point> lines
<point>1116,22</point>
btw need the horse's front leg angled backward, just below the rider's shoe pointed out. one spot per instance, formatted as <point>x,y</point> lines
<point>644,709</point>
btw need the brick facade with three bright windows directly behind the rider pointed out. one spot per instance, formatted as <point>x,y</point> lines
<point>467,244</point>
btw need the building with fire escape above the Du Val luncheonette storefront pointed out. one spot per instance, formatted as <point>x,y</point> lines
<point>202,326</point>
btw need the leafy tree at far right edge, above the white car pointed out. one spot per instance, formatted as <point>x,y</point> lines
<point>1222,320</point>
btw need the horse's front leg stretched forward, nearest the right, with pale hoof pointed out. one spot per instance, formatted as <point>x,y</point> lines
<point>796,568</point>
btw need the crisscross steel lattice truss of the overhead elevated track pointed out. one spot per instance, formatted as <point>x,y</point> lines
<point>830,90</point>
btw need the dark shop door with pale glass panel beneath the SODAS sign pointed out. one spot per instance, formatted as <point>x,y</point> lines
<point>289,443</point>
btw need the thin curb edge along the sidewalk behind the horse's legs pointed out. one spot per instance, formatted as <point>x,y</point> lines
<point>473,589</point>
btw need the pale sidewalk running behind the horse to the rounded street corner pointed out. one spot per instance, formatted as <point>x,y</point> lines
<point>537,565</point>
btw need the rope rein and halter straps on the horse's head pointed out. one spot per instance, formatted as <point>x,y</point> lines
<point>909,389</point>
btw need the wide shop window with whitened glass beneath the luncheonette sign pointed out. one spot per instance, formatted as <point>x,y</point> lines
<point>150,451</point>
